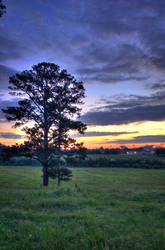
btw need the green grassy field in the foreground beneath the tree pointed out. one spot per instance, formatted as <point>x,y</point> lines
<point>110,209</point>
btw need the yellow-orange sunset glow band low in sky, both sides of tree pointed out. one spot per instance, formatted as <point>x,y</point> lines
<point>129,132</point>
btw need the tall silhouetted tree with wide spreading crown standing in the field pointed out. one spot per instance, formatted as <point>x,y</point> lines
<point>50,100</point>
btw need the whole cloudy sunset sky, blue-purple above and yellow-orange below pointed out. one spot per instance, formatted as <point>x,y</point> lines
<point>116,47</point>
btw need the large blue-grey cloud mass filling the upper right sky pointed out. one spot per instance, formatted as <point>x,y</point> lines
<point>129,37</point>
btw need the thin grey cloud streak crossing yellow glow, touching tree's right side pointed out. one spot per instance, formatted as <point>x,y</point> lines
<point>94,133</point>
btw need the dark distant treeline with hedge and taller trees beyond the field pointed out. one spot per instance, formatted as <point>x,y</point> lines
<point>95,158</point>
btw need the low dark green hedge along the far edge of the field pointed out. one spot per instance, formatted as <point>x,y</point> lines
<point>96,161</point>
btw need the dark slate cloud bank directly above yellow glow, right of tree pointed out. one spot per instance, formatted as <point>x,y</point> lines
<point>127,109</point>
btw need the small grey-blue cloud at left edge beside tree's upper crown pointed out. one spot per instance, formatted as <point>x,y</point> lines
<point>5,73</point>
